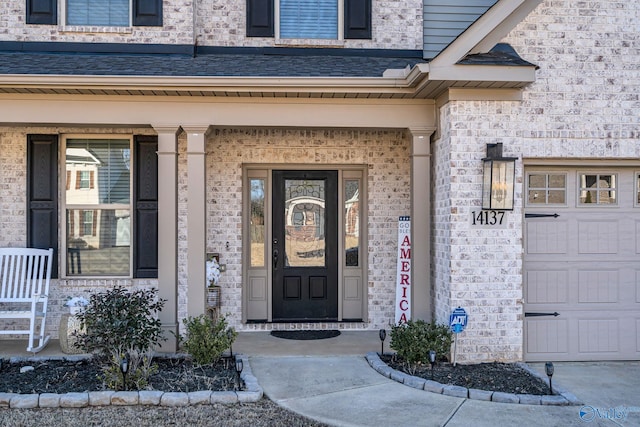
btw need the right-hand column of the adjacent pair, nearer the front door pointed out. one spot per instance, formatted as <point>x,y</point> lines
<point>196,219</point>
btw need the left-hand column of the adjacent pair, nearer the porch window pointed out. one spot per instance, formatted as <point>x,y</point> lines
<point>168,232</point>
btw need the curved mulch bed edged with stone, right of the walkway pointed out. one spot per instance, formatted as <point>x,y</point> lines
<point>501,377</point>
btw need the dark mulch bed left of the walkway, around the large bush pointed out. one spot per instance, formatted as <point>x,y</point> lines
<point>63,376</point>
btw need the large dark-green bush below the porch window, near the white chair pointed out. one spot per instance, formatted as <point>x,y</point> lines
<point>121,324</point>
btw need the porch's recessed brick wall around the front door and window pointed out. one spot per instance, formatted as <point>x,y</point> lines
<point>385,152</point>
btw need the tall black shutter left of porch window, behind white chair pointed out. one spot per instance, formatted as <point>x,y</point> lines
<point>42,194</point>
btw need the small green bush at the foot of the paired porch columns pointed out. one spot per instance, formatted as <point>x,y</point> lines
<point>206,340</point>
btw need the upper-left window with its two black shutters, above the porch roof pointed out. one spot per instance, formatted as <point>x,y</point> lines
<point>116,13</point>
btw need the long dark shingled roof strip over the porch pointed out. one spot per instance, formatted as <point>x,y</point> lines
<point>219,63</point>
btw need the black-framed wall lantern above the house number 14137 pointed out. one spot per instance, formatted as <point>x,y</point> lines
<point>499,175</point>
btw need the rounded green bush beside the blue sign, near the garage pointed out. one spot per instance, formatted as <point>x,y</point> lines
<point>413,340</point>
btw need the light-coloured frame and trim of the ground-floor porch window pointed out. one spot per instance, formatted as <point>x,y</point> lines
<point>63,205</point>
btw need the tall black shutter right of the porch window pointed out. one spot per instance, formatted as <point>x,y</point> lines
<point>145,233</point>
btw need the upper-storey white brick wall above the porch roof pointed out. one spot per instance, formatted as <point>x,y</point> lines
<point>217,23</point>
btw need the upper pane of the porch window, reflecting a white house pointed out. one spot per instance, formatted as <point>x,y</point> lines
<point>99,172</point>
